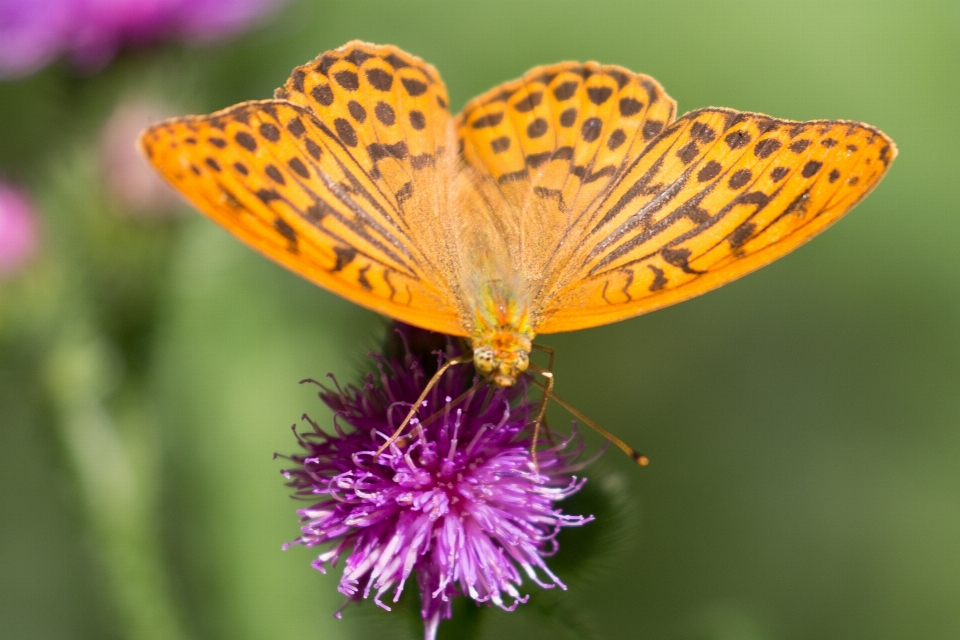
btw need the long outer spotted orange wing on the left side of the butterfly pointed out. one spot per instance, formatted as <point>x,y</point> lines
<point>277,177</point>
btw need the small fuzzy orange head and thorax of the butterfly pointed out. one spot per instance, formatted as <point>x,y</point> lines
<point>502,335</point>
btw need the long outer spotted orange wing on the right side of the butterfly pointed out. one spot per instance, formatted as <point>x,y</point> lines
<point>717,195</point>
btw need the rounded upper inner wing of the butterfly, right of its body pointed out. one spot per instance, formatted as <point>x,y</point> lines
<point>544,148</point>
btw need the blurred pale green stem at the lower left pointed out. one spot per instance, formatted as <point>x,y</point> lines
<point>117,486</point>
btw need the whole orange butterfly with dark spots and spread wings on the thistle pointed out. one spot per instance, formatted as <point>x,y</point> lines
<point>567,199</point>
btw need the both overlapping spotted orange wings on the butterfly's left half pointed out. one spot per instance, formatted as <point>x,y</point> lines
<point>338,179</point>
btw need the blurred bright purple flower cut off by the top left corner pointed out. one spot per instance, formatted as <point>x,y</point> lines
<point>91,32</point>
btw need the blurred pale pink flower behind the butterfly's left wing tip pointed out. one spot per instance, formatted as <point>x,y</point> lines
<point>130,180</point>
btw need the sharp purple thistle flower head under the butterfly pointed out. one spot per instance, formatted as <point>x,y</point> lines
<point>456,500</point>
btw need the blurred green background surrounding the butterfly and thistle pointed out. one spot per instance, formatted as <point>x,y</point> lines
<point>803,422</point>
